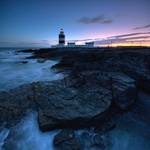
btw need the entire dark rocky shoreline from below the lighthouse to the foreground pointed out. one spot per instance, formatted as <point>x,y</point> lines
<point>101,85</point>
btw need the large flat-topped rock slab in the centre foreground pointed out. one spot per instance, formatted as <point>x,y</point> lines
<point>69,107</point>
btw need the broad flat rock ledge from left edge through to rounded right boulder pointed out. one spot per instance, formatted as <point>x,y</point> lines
<point>67,103</point>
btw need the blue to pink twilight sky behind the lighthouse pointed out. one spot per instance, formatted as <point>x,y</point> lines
<point>36,23</point>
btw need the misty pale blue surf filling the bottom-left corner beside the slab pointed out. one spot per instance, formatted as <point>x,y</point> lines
<point>27,136</point>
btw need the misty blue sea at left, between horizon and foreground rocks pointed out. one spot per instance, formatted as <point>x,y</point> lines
<point>13,72</point>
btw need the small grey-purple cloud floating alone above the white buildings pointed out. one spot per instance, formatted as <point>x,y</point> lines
<point>98,19</point>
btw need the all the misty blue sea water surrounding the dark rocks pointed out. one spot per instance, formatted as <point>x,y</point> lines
<point>131,132</point>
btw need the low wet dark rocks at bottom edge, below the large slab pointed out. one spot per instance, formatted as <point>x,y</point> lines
<point>80,140</point>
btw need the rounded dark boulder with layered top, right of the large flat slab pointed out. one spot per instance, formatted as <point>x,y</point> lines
<point>123,90</point>
